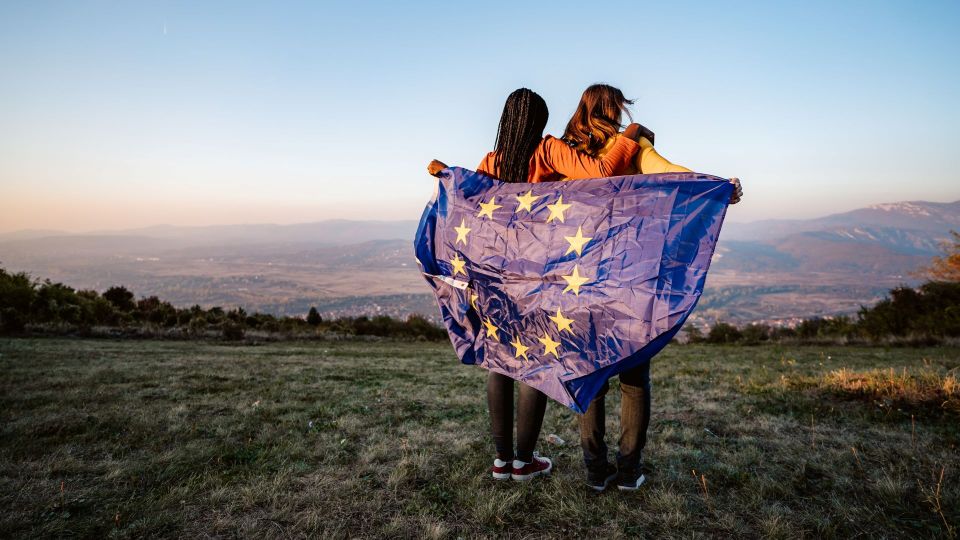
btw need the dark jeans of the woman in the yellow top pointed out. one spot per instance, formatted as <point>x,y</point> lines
<point>634,421</point>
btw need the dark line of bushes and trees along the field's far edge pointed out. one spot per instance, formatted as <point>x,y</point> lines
<point>924,314</point>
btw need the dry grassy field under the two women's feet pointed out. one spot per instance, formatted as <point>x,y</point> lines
<point>368,439</point>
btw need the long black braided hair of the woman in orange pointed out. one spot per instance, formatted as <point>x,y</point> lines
<point>521,129</point>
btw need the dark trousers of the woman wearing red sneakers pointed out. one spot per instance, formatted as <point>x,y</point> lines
<point>530,408</point>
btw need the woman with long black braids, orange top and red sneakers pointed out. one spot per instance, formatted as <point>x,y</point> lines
<point>522,154</point>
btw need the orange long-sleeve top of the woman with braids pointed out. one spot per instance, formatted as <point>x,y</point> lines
<point>555,160</point>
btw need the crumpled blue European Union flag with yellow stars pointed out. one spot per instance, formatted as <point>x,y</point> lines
<point>562,285</point>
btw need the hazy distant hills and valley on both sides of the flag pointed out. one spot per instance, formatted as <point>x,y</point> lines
<point>773,270</point>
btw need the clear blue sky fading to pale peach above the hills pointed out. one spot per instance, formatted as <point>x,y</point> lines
<point>123,114</point>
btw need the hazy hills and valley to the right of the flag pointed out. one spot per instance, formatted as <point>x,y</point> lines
<point>778,271</point>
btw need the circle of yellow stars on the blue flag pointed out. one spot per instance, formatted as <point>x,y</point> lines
<point>574,281</point>
